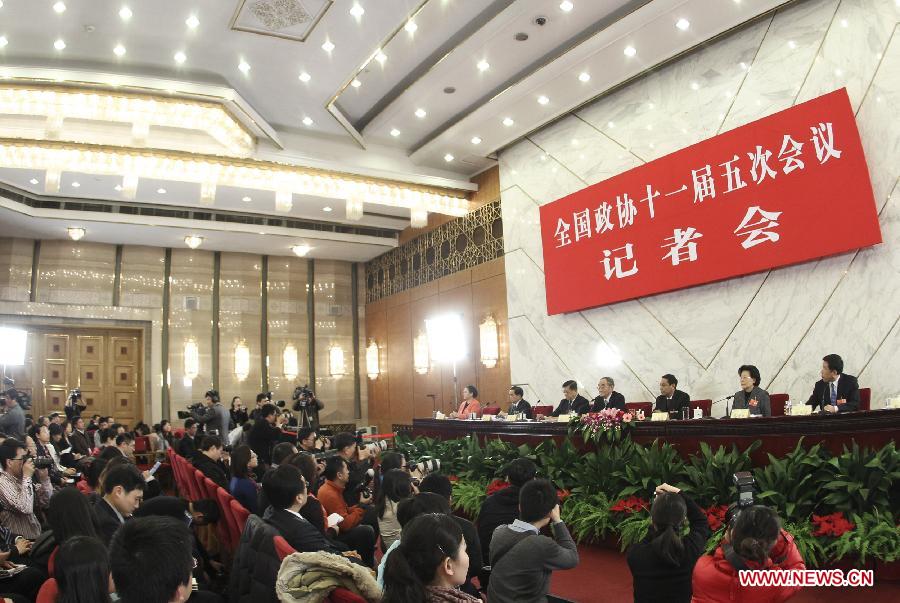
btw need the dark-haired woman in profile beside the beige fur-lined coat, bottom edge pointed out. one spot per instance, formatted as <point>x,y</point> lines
<point>429,564</point>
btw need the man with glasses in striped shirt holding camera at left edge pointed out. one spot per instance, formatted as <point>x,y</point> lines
<point>19,494</point>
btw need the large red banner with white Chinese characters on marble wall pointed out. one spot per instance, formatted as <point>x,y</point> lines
<point>787,188</point>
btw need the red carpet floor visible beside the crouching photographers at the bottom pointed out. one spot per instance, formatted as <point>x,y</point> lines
<point>602,575</point>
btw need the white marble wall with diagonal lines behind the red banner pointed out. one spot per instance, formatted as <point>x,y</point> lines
<point>784,320</point>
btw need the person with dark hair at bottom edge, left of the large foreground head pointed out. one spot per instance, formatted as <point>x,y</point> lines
<point>82,571</point>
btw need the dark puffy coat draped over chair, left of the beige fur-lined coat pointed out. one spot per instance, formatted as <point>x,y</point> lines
<point>255,565</point>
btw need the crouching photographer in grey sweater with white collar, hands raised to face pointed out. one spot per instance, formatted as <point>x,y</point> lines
<point>522,560</point>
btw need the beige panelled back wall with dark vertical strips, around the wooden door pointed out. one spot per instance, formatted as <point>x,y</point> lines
<point>75,286</point>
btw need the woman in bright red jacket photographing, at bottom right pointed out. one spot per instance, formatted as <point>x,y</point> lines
<point>754,541</point>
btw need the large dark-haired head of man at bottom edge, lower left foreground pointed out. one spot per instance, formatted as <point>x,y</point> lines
<point>151,561</point>
